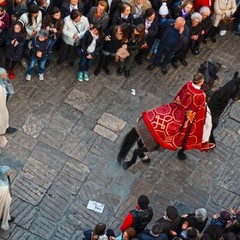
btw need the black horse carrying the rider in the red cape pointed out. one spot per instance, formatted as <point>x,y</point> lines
<point>220,99</point>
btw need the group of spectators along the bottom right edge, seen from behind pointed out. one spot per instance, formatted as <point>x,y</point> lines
<point>171,226</point>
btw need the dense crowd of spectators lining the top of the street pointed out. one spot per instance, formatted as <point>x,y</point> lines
<point>103,30</point>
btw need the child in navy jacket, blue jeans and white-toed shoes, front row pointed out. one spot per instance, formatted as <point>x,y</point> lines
<point>41,48</point>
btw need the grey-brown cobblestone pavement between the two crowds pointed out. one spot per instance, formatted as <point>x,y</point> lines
<point>64,153</point>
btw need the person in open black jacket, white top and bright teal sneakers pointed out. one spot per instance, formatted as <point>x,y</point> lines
<point>91,45</point>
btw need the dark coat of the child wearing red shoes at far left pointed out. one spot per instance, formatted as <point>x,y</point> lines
<point>11,52</point>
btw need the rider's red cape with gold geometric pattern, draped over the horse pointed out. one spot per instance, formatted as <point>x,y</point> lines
<point>180,123</point>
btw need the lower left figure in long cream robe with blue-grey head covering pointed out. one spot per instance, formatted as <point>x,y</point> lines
<point>5,197</point>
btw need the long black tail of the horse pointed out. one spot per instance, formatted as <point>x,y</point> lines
<point>127,143</point>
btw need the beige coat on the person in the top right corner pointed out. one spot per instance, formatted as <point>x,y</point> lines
<point>223,8</point>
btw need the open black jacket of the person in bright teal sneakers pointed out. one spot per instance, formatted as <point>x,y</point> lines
<point>87,40</point>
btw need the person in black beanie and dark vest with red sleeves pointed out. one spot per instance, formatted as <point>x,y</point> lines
<point>139,217</point>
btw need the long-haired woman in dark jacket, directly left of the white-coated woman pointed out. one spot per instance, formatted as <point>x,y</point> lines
<point>53,23</point>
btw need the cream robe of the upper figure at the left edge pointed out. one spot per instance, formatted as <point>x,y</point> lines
<point>4,117</point>
